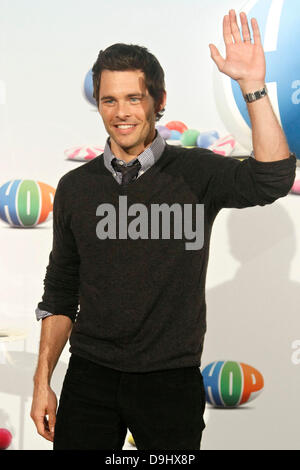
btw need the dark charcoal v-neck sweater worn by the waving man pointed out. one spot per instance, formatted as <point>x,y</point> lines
<point>142,300</point>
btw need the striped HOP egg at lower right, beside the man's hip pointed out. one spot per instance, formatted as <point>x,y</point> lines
<point>231,383</point>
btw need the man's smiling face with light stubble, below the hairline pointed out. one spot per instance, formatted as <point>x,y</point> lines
<point>128,111</point>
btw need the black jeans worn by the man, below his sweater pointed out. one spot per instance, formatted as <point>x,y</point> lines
<point>162,409</point>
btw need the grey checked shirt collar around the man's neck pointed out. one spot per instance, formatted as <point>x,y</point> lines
<point>147,158</point>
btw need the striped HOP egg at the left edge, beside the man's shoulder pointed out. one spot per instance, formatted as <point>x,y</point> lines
<point>26,203</point>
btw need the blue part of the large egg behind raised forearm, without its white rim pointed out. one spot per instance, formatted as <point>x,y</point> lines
<point>279,23</point>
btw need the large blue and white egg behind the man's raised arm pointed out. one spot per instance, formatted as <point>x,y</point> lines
<point>279,24</point>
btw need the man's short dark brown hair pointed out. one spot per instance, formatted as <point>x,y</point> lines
<point>131,57</point>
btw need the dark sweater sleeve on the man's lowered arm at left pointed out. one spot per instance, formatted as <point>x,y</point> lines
<point>61,283</point>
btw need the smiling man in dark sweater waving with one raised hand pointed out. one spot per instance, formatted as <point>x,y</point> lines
<point>137,340</point>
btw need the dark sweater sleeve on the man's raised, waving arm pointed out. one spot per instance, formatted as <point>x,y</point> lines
<point>238,183</point>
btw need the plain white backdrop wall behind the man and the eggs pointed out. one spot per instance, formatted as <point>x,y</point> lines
<point>253,290</point>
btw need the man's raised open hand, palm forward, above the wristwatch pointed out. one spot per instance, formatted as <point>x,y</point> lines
<point>245,60</point>
